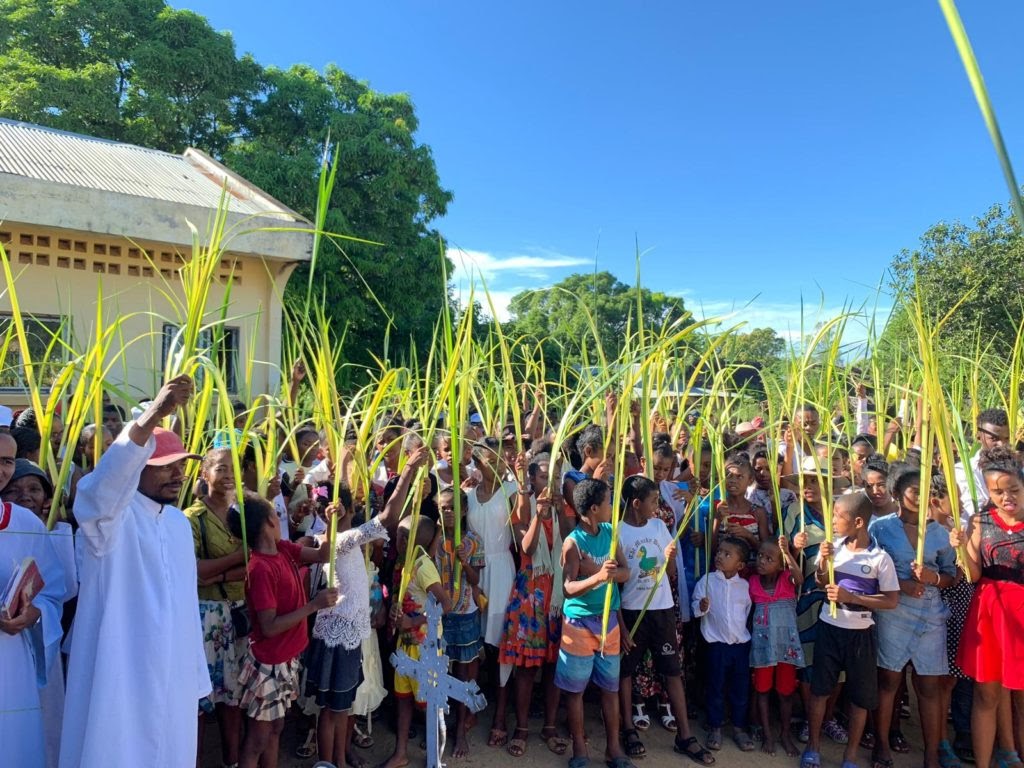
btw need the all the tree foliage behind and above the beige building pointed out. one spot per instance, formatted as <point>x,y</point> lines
<point>142,72</point>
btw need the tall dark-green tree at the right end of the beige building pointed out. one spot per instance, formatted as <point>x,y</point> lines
<point>388,191</point>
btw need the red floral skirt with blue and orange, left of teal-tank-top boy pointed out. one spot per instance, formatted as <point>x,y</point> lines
<point>527,634</point>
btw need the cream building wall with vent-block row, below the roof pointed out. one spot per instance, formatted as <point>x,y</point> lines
<point>62,272</point>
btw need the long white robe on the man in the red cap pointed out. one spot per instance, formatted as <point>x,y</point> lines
<point>138,667</point>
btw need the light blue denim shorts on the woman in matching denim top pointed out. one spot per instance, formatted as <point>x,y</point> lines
<point>915,631</point>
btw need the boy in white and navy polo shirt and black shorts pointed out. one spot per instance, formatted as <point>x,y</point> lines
<point>865,582</point>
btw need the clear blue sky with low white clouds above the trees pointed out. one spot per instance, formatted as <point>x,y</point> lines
<point>754,151</point>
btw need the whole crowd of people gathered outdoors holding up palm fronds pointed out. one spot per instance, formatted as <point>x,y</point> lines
<point>703,586</point>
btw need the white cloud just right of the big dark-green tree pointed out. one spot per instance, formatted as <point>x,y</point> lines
<point>505,276</point>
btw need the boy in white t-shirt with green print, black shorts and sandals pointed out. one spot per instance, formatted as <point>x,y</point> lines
<point>648,545</point>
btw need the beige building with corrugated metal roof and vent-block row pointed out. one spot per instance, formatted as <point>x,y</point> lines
<point>80,215</point>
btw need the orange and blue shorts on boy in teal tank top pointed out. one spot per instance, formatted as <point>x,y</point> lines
<point>581,660</point>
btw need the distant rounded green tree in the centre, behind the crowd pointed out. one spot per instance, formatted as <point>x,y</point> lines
<point>558,317</point>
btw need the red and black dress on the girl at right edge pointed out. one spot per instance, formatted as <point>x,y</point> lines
<point>993,642</point>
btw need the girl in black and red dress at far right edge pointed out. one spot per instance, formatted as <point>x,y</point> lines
<point>993,644</point>
